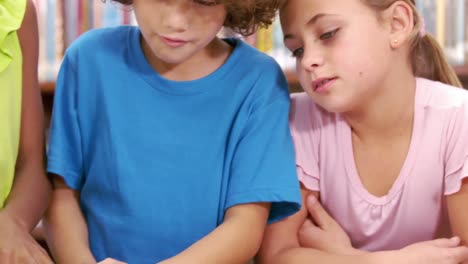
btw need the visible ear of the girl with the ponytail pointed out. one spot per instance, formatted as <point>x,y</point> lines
<point>400,18</point>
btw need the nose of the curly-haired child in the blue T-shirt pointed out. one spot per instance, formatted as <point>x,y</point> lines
<point>177,15</point>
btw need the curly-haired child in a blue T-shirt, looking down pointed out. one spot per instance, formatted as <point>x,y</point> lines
<point>166,144</point>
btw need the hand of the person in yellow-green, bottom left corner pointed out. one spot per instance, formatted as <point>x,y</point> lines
<point>17,245</point>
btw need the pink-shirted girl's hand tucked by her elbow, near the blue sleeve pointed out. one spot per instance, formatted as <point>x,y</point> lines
<point>322,232</point>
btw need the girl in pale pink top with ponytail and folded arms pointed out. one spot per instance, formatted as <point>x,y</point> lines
<point>383,143</point>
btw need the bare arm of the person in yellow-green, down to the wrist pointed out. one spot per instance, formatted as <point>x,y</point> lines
<point>31,189</point>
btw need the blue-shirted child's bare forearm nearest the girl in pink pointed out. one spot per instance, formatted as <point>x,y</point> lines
<point>236,240</point>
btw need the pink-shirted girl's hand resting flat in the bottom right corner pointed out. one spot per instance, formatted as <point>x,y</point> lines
<point>439,251</point>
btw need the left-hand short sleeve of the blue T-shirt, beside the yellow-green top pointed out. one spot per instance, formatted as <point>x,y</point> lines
<point>65,148</point>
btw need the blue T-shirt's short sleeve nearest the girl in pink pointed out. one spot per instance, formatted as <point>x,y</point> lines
<point>262,167</point>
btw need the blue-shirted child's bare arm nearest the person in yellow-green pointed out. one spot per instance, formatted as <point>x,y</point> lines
<point>65,227</point>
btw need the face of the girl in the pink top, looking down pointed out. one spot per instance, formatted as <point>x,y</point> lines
<point>341,48</point>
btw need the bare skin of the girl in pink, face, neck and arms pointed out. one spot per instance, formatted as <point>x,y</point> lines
<point>327,40</point>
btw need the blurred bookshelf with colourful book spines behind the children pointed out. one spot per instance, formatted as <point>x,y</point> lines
<point>62,21</point>
